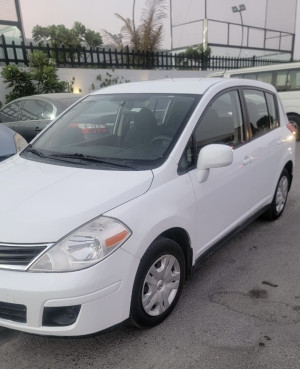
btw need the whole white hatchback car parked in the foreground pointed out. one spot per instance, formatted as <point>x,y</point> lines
<point>96,230</point>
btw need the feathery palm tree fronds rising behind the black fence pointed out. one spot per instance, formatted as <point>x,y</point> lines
<point>148,35</point>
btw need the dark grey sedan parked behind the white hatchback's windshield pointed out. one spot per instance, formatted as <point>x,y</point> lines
<point>30,115</point>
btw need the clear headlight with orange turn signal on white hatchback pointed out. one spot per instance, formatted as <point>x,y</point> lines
<point>84,247</point>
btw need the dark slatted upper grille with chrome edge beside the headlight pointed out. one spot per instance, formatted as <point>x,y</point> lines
<point>17,256</point>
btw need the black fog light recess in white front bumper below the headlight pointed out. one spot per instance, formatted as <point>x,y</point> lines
<point>60,316</point>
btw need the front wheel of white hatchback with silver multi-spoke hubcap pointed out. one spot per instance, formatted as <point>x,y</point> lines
<point>158,283</point>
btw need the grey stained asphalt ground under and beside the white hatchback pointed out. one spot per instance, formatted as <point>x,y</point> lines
<point>240,309</point>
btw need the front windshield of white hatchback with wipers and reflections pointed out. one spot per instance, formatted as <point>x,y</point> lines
<point>133,131</point>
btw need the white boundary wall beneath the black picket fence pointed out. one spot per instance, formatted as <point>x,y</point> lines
<point>84,78</point>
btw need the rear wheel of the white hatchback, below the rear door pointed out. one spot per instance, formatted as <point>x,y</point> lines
<point>280,197</point>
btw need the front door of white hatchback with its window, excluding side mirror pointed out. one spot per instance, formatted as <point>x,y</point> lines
<point>225,198</point>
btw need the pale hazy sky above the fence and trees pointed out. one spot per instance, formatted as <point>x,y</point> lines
<point>99,14</point>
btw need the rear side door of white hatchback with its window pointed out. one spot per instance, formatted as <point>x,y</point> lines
<point>266,142</point>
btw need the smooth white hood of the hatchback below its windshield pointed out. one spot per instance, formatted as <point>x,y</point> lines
<point>42,202</point>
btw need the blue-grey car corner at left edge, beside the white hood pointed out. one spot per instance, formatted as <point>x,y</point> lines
<point>10,142</point>
